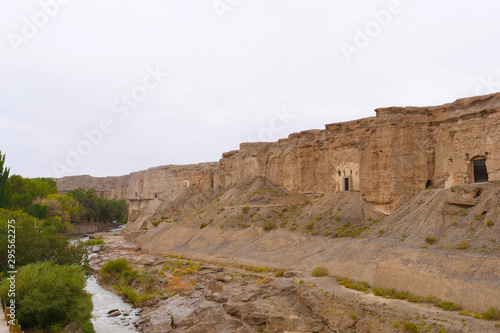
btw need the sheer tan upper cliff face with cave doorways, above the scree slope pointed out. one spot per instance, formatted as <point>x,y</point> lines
<point>388,158</point>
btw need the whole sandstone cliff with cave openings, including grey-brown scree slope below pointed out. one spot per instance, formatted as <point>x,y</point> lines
<point>321,197</point>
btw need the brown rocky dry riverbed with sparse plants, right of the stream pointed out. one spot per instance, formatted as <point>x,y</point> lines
<point>195,296</point>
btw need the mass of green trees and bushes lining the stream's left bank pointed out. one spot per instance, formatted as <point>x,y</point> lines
<point>51,272</point>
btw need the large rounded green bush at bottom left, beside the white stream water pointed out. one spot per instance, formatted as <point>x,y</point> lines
<point>50,294</point>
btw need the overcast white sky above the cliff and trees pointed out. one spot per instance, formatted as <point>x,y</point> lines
<point>232,64</point>
